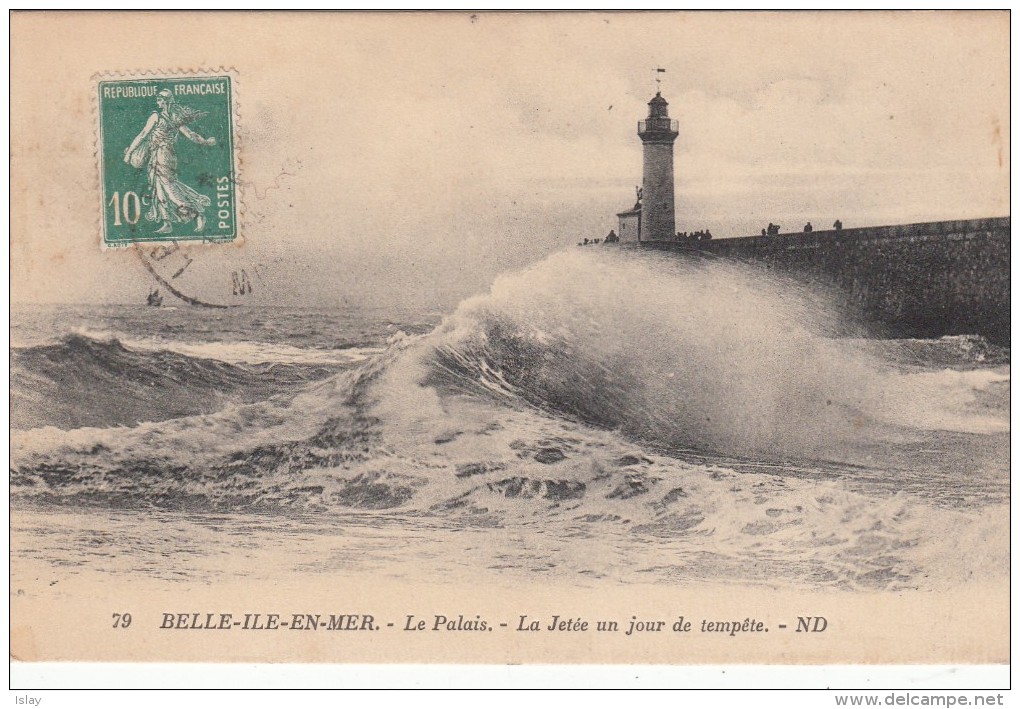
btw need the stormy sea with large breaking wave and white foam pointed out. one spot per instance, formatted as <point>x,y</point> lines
<point>598,419</point>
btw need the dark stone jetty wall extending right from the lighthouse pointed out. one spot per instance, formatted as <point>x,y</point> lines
<point>922,280</point>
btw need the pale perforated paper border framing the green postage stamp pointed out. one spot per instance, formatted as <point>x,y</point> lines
<point>198,73</point>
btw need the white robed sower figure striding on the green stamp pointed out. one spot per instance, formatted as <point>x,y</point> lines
<point>170,199</point>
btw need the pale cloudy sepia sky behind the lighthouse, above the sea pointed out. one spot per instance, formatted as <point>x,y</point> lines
<point>411,159</point>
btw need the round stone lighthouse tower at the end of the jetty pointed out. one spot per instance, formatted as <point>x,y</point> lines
<point>658,222</point>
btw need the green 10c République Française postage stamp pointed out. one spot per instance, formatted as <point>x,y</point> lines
<point>167,159</point>
